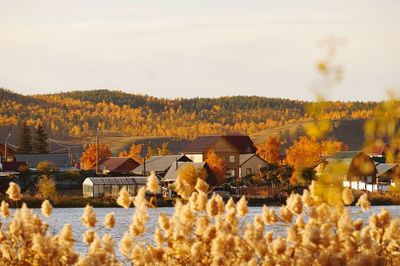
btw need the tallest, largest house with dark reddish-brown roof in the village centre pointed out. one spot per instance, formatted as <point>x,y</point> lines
<point>226,147</point>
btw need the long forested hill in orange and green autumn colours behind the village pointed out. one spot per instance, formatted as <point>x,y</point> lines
<point>79,113</point>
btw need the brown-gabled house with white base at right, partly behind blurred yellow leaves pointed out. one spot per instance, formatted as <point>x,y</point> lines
<point>357,169</point>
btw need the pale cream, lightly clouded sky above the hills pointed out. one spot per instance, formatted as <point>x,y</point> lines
<point>207,48</point>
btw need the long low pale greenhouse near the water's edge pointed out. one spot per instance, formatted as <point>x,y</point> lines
<point>111,186</point>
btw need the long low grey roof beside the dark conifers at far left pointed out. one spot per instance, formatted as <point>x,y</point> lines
<point>59,159</point>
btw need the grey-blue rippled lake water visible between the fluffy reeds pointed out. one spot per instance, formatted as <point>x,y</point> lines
<point>123,217</point>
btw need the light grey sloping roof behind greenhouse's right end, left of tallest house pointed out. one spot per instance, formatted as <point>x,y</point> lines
<point>160,163</point>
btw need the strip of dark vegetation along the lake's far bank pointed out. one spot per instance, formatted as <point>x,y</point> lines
<point>376,199</point>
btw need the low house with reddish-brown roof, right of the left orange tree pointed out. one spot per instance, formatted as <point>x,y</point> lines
<point>117,165</point>
